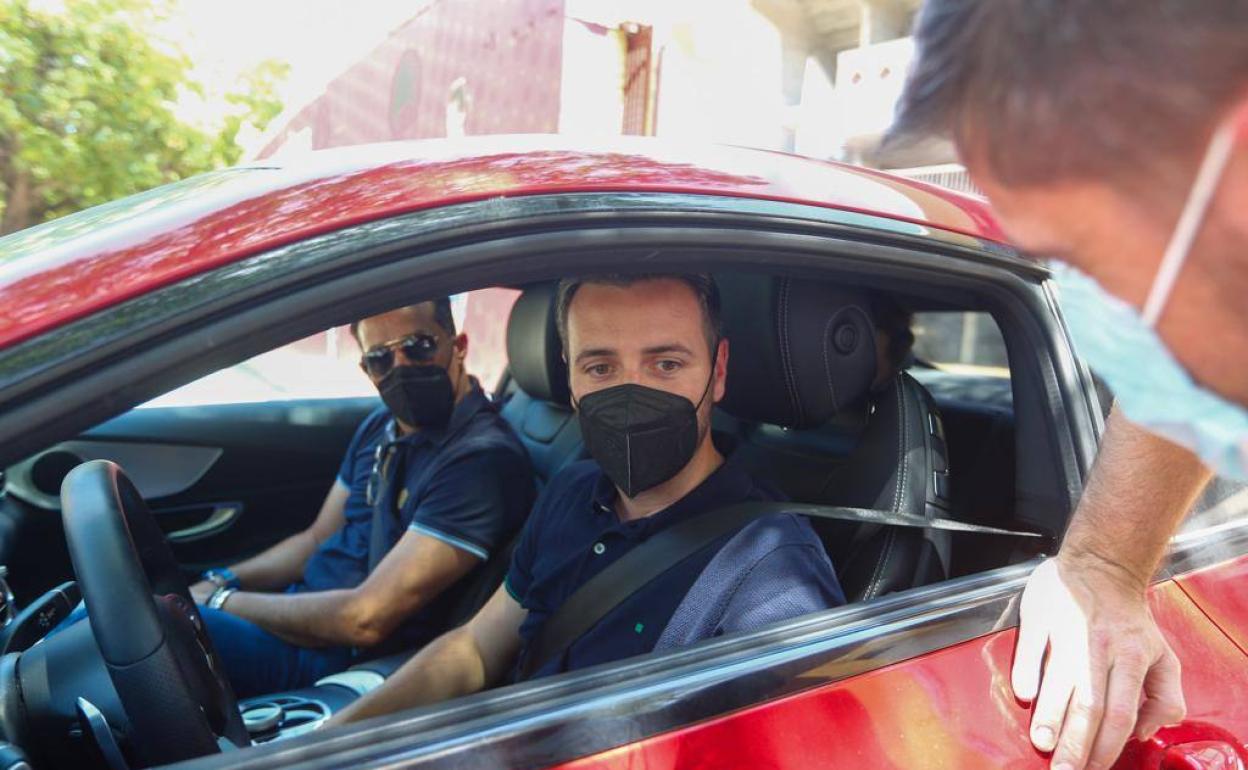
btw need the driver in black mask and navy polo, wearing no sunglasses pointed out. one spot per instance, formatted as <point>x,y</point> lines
<point>647,363</point>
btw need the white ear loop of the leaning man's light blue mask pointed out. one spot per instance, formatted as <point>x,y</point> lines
<point>1216,160</point>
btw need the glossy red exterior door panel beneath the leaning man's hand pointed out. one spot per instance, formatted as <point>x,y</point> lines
<point>948,709</point>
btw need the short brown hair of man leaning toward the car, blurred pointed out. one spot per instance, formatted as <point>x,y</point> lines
<point>1048,90</point>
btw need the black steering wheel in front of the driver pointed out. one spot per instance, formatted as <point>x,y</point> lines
<point>152,637</point>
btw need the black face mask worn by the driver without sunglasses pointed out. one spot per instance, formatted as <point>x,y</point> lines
<point>640,436</point>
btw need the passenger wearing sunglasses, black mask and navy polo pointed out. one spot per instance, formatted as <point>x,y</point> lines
<point>432,485</point>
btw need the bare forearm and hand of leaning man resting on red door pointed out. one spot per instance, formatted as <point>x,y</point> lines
<point>1088,607</point>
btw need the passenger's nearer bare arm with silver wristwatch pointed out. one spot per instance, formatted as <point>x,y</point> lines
<point>412,575</point>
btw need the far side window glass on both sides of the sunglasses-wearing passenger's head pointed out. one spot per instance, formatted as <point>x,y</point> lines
<point>326,365</point>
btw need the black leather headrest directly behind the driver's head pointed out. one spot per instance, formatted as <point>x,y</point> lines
<point>801,351</point>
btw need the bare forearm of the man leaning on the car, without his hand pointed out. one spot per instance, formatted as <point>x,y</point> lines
<point>1140,491</point>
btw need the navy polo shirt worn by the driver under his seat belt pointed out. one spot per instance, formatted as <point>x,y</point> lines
<point>575,534</point>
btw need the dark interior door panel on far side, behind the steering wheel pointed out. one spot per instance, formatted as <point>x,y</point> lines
<point>224,481</point>
